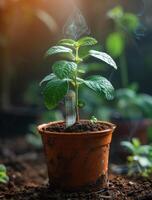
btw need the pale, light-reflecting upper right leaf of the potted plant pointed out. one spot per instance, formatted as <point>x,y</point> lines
<point>104,57</point>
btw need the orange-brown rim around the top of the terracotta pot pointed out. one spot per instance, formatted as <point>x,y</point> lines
<point>85,133</point>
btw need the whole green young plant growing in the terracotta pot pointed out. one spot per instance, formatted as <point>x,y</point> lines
<point>67,73</point>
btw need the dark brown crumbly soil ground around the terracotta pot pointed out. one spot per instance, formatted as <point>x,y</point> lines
<point>28,178</point>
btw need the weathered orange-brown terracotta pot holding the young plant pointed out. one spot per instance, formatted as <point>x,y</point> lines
<point>76,160</point>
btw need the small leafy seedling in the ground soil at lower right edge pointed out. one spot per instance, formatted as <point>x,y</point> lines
<point>140,158</point>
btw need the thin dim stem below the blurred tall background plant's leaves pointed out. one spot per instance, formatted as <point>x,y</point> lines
<point>123,71</point>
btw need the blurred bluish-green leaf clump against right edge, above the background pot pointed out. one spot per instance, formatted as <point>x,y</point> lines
<point>131,105</point>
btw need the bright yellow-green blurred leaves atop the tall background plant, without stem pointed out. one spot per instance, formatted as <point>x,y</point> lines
<point>125,23</point>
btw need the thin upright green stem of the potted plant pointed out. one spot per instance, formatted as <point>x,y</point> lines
<point>77,88</point>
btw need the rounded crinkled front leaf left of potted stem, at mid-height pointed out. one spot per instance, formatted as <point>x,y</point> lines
<point>64,69</point>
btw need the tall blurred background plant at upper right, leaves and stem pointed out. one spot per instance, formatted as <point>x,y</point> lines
<point>125,24</point>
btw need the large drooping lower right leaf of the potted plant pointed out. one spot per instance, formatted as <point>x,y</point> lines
<point>100,85</point>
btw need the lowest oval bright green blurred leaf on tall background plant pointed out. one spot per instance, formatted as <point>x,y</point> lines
<point>115,44</point>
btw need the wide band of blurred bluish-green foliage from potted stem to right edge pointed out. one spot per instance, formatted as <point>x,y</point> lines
<point>127,104</point>
